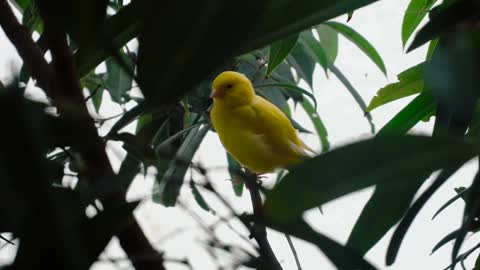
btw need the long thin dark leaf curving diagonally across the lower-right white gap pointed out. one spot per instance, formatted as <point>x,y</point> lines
<point>412,212</point>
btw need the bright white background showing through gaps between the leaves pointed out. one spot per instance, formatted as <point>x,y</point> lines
<point>380,23</point>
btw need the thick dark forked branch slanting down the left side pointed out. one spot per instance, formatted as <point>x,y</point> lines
<point>61,83</point>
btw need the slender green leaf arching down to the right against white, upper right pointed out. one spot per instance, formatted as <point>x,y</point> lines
<point>360,41</point>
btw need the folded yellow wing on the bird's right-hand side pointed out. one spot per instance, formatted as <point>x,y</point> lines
<point>277,129</point>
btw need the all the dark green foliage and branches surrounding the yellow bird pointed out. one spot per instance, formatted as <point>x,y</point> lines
<point>277,44</point>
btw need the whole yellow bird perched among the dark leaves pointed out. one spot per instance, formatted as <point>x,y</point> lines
<point>253,130</point>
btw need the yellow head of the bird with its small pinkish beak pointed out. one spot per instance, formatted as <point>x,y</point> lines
<point>232,89</point>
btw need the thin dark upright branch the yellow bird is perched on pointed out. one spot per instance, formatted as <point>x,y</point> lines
<point>259,232</point>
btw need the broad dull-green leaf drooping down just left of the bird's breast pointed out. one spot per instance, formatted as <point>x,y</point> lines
<point>171,182</point>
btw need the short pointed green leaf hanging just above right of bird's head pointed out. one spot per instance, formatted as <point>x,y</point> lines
<point>302,62</point>
